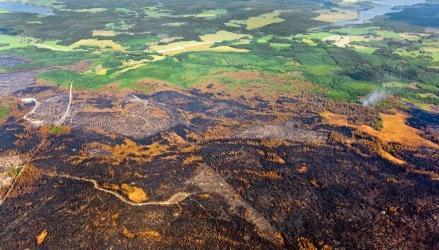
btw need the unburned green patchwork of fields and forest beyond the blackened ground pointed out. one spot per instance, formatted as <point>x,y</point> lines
<point>183,45</point>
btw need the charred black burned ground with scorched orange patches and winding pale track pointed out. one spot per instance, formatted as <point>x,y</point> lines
<point>189,169</point>
